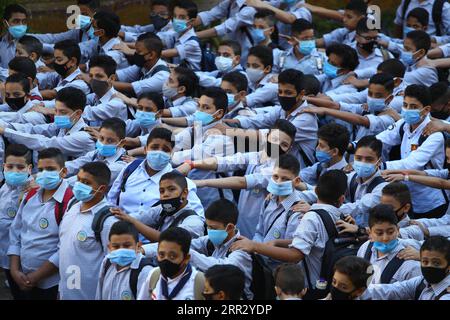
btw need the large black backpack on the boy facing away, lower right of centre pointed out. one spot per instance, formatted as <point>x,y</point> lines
<point>333,252</point>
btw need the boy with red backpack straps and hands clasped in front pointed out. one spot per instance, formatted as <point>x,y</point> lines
<point>34,234</point>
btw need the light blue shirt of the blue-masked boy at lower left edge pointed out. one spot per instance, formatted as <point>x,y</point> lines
<point>11,197</point>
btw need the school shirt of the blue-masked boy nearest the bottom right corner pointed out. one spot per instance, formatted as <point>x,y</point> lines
<point>409,269</point>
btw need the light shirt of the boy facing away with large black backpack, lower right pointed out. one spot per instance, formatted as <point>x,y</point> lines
<point>310,238</point>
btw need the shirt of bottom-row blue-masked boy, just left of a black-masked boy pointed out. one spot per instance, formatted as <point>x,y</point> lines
<point>115,284</point>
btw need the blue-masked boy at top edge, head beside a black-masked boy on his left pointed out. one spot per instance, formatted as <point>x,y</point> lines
<point>187,50</point>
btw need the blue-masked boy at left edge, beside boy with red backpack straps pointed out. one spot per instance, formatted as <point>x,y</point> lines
<point>17,171</point>
